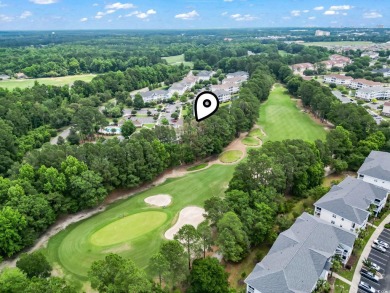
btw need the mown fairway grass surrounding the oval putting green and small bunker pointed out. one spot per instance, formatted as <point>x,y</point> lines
<point>73,250</point>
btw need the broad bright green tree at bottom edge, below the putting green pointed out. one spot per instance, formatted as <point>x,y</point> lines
<point>116,274</point>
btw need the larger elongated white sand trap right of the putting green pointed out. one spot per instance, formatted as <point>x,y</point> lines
<point>188,215</point>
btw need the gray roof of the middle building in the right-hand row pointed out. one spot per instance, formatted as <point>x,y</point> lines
<point>351,199</point>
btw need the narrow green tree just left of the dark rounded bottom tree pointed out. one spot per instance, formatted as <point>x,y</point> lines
<point>177,261</point>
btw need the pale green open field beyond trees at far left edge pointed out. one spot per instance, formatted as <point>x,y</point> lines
<point>57,81</point>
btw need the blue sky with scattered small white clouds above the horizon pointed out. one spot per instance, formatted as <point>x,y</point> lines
<point>190,14</point>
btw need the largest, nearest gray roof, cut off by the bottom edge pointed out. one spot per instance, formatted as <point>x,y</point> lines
<point>298,256</point>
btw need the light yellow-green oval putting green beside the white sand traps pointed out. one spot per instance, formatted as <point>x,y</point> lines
<point>128,228</point>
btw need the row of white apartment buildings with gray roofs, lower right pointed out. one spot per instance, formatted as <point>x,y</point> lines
<point>303,254</point>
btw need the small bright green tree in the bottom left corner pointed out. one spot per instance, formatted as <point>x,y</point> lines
<point>12,280</point>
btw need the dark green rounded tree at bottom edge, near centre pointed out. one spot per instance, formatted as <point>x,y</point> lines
<point>208,276</point>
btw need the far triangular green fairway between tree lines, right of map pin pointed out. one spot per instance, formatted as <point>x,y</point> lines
<point>281,119</point>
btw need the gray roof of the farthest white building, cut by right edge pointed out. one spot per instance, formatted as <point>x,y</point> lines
<point>376,165</point>
